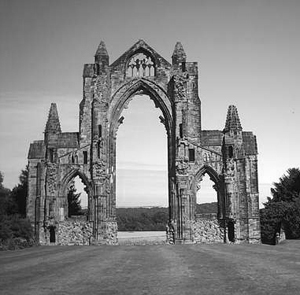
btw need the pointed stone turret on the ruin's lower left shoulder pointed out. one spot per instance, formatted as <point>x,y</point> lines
<point>53,128</point>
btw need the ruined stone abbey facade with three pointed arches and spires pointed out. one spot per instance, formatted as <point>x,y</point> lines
<point>228,156</point>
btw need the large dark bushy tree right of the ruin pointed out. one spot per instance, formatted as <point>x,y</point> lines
<point>283,210</point>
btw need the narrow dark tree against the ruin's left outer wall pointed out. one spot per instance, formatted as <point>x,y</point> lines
<point>20,192</point>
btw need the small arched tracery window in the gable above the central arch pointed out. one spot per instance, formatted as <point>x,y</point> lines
<point>141,65</point>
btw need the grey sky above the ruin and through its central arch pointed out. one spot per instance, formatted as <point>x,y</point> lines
<point>247,54</point>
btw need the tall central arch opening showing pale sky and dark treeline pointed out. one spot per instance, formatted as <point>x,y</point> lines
<point>141,168</point>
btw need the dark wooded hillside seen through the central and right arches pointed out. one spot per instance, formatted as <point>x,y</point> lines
<point>152,218</point>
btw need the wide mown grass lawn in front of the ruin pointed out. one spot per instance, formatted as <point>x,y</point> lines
<point>152,269</point>
